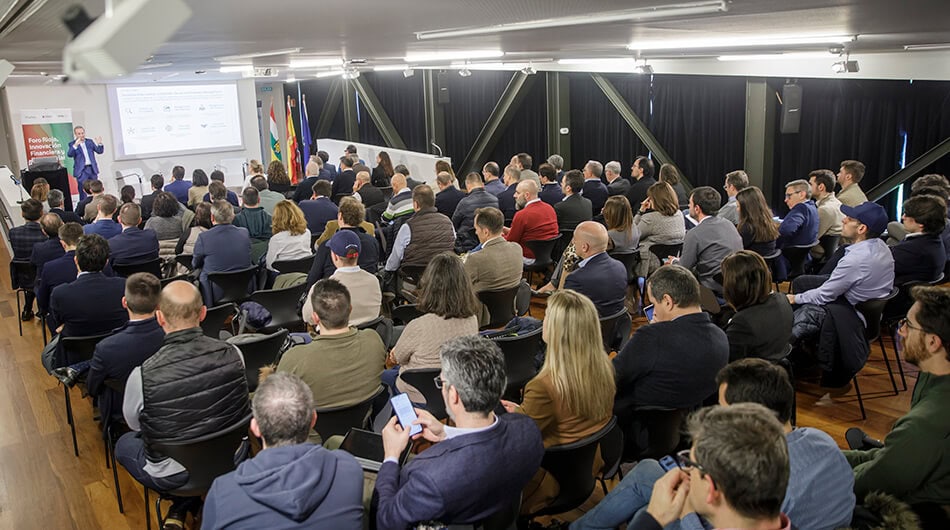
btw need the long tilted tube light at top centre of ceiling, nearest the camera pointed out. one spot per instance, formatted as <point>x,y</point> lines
<point>707,7</point>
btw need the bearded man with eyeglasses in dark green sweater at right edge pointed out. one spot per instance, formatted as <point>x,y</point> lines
<point>913,464</point>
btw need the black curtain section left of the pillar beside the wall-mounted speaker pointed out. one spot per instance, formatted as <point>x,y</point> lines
<point>700,122</point>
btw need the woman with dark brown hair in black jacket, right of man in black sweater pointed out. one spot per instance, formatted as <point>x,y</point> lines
<point>762,325</point>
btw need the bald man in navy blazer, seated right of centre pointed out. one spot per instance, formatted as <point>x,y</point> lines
<point>598,276</point>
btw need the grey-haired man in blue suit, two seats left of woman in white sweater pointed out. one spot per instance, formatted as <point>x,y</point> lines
<point>223,248</point>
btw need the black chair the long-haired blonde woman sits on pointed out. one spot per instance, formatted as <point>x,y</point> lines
<point>570,464</point>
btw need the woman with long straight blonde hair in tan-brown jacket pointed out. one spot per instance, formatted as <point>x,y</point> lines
<point>572,397</point>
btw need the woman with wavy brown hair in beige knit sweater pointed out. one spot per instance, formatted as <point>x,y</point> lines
<point>450,309</point>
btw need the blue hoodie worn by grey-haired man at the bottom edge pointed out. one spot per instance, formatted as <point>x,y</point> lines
<point>295,486</point>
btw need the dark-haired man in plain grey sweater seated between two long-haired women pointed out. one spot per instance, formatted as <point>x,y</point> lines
<point>707,244</point>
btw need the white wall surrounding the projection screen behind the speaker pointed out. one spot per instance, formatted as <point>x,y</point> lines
<point>90,107</point>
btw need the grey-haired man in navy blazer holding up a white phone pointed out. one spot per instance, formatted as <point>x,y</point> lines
<point>473,470</point>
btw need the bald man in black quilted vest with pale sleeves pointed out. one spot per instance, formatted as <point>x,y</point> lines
<point>191,387</point>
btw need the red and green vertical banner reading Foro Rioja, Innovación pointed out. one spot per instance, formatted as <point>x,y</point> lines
<point>46,133</point>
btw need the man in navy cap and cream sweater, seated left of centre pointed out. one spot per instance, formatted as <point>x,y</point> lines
<point>344,249</point>
